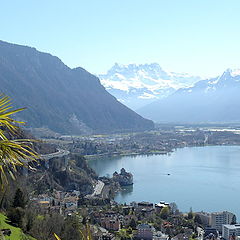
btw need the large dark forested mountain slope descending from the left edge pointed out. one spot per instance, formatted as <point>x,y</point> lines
<point>65,100</point>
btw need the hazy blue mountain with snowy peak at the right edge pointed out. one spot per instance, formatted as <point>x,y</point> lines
<point>211,100</point>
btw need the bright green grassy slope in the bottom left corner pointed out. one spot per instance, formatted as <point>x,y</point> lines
<point>17,233</point>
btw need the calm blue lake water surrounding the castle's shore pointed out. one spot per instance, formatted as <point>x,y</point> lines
<point>204,178</point>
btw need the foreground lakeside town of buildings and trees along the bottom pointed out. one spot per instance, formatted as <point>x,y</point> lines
<point>139,220</point>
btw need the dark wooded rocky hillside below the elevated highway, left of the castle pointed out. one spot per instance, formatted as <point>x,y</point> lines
<point>65,174</point>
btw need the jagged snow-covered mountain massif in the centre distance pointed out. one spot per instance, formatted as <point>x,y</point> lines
<point>137,85</point>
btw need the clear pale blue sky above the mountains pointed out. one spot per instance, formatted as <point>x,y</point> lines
<point>199,37</point>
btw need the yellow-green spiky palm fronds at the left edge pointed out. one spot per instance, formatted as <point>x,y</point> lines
<point>13,152</point>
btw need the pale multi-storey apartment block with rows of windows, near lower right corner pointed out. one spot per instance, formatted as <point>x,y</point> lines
<point>218,219</point>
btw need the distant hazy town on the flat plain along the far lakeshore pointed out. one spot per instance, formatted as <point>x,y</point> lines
<point>163,140</point>
